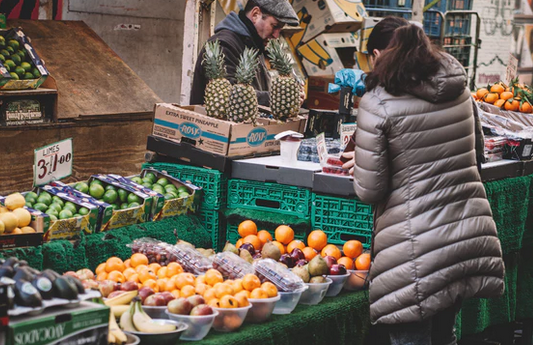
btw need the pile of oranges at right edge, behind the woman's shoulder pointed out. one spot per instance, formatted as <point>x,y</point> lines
<point>514,98</point>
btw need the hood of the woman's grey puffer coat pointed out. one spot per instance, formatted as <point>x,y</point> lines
<point>448,84</point>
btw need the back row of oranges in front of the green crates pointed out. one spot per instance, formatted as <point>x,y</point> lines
<point>317,243</point>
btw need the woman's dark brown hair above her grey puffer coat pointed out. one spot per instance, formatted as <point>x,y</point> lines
<point>408,59</point>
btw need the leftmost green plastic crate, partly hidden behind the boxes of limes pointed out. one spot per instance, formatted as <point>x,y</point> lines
<point>213,182</point>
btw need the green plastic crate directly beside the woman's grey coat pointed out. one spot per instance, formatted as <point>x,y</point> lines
<point>342,219</point>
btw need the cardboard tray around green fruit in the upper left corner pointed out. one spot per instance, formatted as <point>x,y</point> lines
<point>7,82</point>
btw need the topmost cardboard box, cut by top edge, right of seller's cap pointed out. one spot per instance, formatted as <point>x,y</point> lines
<point>317,17</point>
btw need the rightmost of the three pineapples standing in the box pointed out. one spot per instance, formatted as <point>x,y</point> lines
<point>285,91</point>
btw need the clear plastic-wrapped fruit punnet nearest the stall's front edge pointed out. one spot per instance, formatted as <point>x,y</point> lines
<point>279,275</point>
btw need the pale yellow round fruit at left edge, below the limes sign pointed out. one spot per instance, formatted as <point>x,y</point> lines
<point>15,218</point>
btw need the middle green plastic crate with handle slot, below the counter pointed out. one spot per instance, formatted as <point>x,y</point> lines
<point>269,197</point>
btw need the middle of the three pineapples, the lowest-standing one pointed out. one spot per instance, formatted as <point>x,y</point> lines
<point>243,99</point>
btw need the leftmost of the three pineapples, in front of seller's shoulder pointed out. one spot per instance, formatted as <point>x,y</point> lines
<point>218,89</point>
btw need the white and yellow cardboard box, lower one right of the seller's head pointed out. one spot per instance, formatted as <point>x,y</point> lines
<point>328,53</point>
